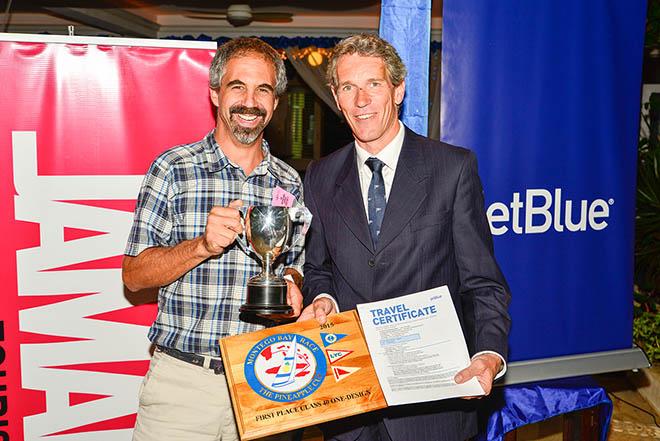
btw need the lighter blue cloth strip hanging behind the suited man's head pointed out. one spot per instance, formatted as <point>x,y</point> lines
<point>407,26</point>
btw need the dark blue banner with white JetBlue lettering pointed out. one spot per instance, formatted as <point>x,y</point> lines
<point>547,93</point>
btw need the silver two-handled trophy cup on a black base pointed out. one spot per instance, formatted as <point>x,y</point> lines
<point>268,230</point>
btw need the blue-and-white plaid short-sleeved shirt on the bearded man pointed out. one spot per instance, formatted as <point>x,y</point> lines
<point>177,193</point>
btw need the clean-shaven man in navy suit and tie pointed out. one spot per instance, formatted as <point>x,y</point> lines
<point>396,213</point>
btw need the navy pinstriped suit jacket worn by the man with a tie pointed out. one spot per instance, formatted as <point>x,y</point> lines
<point>434,233</point>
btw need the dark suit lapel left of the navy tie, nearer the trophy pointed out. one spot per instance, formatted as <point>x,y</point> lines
<point>348,201</point>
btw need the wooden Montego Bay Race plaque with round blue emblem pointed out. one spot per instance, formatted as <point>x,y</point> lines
<point>300,374</point>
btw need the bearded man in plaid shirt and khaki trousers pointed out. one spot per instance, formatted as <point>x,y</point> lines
<point>183,240</point>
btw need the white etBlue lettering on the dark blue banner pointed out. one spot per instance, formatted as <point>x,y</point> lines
<point>539,210</point>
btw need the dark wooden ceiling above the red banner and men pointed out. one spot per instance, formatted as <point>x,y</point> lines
<point>161,18</point>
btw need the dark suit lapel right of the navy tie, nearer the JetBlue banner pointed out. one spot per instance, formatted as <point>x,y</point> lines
<point>407,194</point>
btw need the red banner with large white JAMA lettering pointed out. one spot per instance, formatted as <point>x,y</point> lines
<point>79,125</point>
